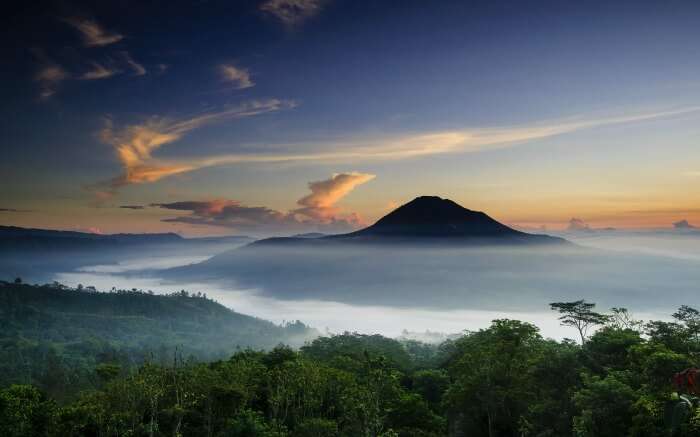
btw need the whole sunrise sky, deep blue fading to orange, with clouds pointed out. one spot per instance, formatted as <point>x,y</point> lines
<point>287,116</point>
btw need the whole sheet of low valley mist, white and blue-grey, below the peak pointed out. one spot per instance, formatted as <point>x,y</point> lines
<point>386,289</point>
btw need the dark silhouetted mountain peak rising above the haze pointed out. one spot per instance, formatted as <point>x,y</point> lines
<point>431,219</point>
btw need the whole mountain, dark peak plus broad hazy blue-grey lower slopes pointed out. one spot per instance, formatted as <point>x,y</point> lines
<point>432,253</point>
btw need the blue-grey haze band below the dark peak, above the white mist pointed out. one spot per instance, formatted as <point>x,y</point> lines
<point>485,278</point>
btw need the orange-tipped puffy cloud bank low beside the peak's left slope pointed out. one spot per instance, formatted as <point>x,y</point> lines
<point>319,210</point>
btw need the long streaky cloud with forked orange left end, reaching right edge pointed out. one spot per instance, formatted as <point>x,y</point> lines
<point>135,144</point>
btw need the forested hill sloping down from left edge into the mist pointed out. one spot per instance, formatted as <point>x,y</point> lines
<point>73,329</point>
